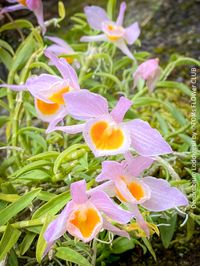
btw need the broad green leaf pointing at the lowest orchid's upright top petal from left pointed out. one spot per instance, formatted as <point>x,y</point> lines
<point>53,206</point>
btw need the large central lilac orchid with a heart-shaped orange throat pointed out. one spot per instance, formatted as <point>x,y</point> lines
<point>106,133</point>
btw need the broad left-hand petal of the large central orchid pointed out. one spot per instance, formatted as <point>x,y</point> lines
<point>84,105</point>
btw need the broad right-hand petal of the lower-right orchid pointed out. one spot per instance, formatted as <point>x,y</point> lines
<point>163,196</point>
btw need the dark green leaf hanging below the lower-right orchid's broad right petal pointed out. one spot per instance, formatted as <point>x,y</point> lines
<point>167,232</point>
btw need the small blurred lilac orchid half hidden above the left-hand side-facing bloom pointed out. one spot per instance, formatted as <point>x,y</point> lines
<point>60,47</point>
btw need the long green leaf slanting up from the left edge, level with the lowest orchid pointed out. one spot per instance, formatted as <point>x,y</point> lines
<point>14,208</point>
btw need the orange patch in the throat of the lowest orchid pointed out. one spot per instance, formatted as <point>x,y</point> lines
<point>86,221</point>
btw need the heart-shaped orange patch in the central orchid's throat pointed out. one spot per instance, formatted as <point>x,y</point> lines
<point>106,137</point>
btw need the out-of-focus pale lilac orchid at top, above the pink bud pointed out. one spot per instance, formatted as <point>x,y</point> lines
<point>112,31</point>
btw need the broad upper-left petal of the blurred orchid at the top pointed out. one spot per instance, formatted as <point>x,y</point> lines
<point>95,16</point>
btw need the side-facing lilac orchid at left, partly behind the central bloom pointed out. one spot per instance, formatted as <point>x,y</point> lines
<point>48,90</point>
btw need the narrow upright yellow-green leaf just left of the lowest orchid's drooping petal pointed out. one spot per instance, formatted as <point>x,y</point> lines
<point>41,243</point>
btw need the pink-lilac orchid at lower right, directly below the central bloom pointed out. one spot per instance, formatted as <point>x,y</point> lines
<point>125,182</point>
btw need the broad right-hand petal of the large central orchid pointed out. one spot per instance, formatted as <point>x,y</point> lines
<point>146,140</point>
